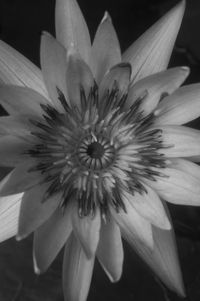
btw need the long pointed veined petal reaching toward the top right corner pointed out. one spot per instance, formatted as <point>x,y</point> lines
<point>151,52</point>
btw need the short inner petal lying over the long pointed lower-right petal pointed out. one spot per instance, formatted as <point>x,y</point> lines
<point>149,205</point>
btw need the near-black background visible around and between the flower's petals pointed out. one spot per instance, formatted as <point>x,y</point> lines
<point>21,23</point>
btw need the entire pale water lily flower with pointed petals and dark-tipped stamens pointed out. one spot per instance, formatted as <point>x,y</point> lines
<point>97,143</point>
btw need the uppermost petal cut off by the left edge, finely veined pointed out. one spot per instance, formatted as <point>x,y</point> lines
<point>17,70</point>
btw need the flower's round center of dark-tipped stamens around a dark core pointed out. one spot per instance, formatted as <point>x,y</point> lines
<point>95,152</point>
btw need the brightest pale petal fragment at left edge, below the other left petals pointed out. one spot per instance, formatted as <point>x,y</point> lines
<point>9,215</point>
